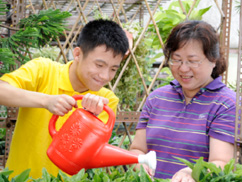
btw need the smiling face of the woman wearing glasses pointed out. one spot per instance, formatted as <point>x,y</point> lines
<point>192,78</point>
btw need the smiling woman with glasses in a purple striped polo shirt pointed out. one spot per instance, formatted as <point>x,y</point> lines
<point>194,116</point>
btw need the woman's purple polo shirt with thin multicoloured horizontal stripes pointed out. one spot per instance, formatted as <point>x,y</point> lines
<point>176,129</point>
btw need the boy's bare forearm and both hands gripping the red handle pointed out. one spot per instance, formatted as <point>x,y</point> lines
<point>56,104</point>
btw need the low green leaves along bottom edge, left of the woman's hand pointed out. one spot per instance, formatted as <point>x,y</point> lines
<point>112,174</point>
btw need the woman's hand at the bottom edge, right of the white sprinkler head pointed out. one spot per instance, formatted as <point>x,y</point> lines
<point>183,175</point>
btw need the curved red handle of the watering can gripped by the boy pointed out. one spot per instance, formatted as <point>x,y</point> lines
<point>54,118</point>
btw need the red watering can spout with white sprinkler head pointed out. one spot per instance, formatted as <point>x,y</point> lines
<point>111,155</point>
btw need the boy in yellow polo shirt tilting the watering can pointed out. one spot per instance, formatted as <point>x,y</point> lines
<point>42,87</point>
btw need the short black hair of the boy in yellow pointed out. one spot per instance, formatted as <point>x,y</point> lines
<point>103,32</point>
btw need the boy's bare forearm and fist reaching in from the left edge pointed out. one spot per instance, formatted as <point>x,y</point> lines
<point>16,97</point>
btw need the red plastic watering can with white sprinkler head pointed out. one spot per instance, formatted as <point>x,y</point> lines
<point>82,142</point>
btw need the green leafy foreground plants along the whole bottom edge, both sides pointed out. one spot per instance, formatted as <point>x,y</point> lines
<point>202,171</point>
